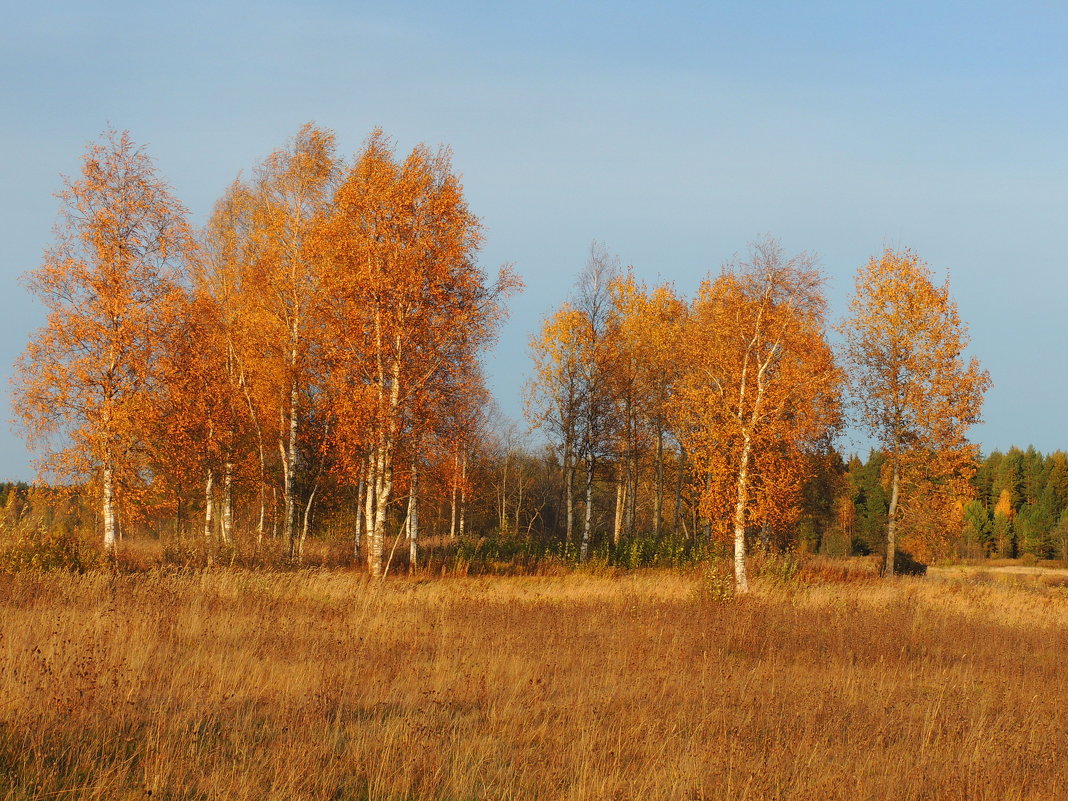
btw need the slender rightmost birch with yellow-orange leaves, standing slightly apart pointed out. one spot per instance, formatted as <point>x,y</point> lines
<point>910,383</point>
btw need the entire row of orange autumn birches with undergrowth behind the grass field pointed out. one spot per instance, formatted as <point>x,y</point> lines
<point>307,372</point>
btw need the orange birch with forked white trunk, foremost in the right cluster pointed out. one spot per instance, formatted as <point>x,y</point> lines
<point>759,387</point>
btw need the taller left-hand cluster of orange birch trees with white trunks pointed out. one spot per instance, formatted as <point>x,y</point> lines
<point>325,327</point>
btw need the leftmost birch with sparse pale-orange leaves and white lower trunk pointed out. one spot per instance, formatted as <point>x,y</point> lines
<point>83,383</point>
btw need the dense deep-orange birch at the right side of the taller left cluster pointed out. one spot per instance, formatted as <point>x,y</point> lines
<point>410,306</point>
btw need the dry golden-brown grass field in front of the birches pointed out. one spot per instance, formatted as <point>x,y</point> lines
<point>321,685</point>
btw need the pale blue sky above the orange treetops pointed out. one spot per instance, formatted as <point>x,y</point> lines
<point>676,133</point>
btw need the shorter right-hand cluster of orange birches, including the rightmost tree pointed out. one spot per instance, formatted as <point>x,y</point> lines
<point>739,394</point>
